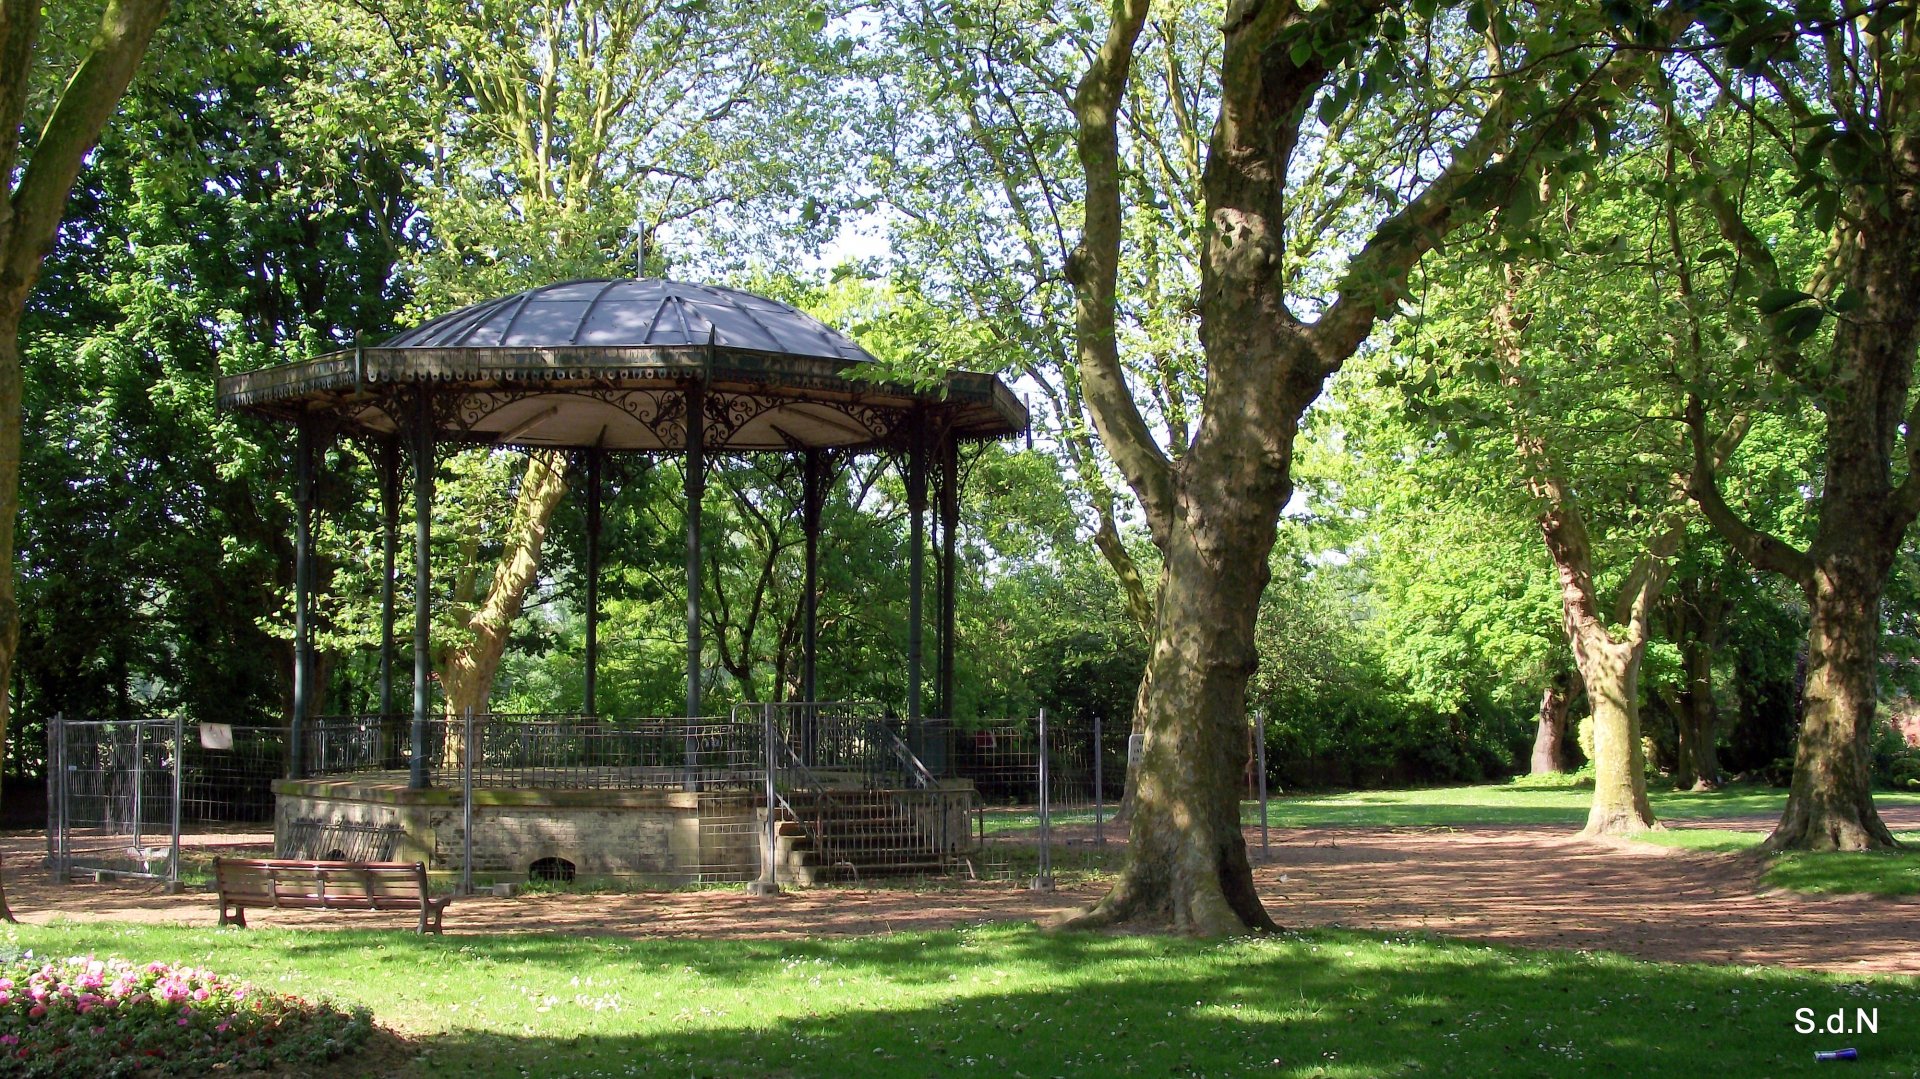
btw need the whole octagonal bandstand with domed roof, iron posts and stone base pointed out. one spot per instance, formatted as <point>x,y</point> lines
<point>596,370</point>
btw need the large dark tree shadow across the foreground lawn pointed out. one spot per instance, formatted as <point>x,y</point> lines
<point>1305,1005</point>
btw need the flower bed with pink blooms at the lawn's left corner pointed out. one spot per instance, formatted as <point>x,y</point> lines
<point>89,1017</point>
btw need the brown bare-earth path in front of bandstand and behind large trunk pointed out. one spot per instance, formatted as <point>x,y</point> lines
<point>1516,886</point>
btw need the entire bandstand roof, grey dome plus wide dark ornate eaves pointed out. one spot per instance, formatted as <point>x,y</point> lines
<point>617,366</point>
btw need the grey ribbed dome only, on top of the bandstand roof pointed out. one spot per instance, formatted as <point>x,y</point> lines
<point>635,314</point>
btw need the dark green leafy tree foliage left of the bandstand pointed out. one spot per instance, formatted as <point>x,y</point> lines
<point>212,233</point>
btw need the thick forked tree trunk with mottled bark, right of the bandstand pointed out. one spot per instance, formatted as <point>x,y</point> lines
<point>1214,512</point>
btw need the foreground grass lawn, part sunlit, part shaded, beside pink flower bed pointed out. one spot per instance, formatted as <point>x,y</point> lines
<point>1011,1001</point>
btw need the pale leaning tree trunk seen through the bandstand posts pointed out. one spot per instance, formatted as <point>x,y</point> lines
<point>468,673</point>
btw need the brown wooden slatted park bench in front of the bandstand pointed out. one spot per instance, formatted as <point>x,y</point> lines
<point>295,884</point>
